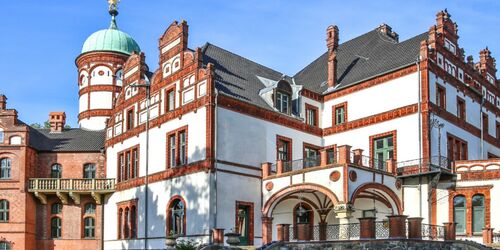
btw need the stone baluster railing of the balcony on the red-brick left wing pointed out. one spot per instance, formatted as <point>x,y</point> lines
<point>55,184</point>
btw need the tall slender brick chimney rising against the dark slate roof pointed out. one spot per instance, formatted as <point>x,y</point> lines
<point>332,42</point>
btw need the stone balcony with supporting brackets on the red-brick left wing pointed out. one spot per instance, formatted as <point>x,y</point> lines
<point>70,188</point>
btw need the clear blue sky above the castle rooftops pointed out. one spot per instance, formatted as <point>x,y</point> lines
<point>41,39</point>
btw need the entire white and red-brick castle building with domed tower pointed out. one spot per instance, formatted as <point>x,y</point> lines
<point>373,128</point>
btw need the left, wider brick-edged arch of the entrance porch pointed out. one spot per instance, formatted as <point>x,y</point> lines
<point>283,193</point>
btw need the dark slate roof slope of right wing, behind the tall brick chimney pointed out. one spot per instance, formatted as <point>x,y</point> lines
<point>361,58</point>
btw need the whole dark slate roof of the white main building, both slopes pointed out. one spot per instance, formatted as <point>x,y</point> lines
<point>361,58</point>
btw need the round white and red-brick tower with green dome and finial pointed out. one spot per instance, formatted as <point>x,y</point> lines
<point>100,72</point>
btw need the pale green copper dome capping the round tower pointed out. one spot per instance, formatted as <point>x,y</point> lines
<point>111,39</point>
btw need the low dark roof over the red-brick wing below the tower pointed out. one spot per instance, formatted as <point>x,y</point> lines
<point>70,140</point>
